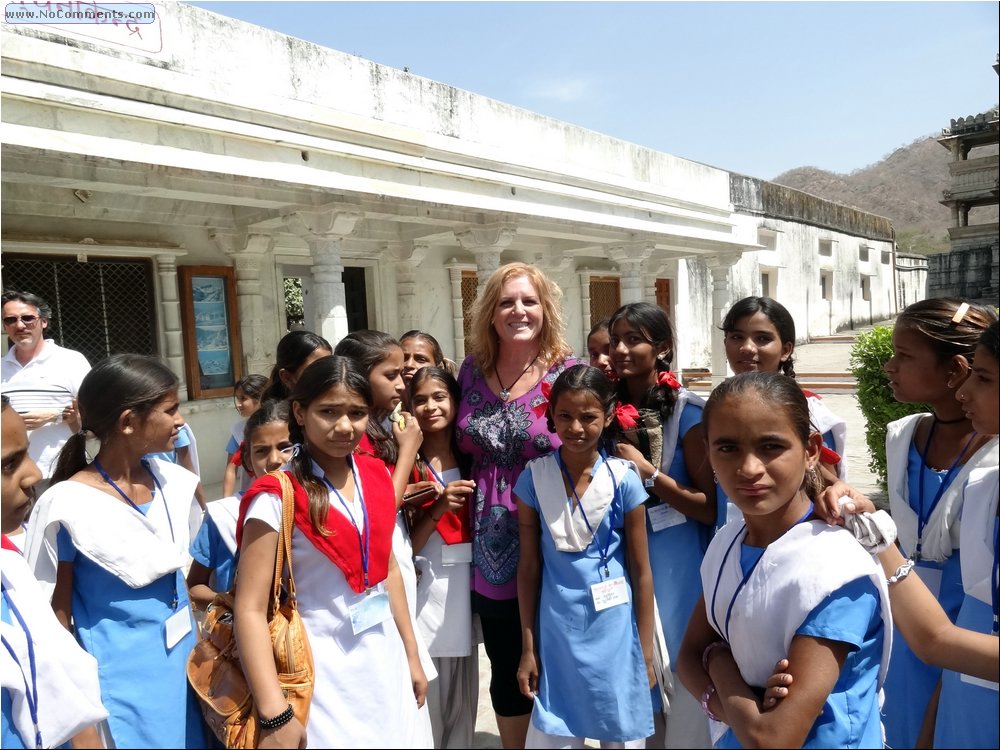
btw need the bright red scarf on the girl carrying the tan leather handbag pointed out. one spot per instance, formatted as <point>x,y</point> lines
<point>341,546</point>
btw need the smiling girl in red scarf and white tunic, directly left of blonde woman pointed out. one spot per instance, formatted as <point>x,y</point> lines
<point>442,545</point>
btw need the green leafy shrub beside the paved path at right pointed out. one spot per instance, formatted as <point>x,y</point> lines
<point>869,354</point>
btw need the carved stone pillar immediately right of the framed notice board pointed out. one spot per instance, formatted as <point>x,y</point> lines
<point>248,253</point>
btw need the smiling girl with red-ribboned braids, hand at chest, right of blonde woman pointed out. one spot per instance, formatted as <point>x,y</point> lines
<point>660,433</point>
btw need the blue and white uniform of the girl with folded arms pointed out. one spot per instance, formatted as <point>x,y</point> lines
<point>815,580</point>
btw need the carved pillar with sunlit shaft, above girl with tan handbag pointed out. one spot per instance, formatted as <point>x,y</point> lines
<point>324,231</point>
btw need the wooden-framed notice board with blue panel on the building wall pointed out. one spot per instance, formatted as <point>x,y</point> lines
<point>212,352</point>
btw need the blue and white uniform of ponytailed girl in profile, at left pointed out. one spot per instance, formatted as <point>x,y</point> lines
<point>130,604</point>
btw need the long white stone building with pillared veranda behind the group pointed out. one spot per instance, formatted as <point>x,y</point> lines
<point>162,181</point>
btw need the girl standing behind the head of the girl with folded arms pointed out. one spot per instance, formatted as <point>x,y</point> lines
<point>760,337</point>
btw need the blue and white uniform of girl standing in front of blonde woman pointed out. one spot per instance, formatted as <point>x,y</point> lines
<point>592,676</point>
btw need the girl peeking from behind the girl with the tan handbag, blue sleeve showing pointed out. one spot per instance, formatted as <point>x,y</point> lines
<point>266,446</point>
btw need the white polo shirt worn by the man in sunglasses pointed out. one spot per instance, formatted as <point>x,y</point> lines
<point>48,382</point>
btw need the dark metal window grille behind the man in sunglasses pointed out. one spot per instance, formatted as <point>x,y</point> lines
<point>99,308</point>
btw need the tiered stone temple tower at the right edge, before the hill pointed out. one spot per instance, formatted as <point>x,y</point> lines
<point>971,268</point>
